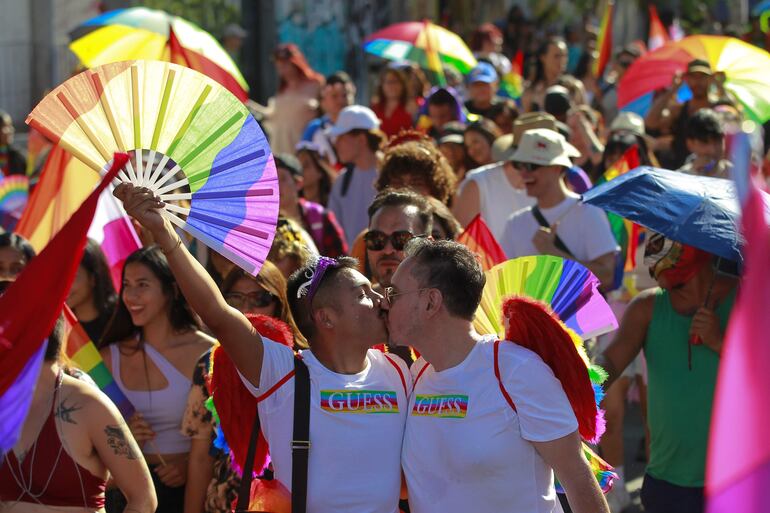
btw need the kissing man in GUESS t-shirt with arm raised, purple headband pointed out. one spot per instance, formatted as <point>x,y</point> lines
<point>358,396</point>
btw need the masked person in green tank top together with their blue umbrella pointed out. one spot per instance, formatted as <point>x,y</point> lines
<point>693,254</point>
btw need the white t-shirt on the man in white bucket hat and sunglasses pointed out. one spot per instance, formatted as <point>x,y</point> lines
<point>584,229</point>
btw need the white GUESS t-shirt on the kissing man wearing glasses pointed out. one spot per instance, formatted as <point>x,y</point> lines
<point>466,449</point>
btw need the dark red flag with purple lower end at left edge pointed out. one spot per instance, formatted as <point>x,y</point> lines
<point>26,321</point>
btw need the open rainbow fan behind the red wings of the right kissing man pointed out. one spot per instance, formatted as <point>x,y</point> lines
<point>570,289</point>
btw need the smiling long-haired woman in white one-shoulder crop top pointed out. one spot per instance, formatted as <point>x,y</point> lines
<point>151,346</point>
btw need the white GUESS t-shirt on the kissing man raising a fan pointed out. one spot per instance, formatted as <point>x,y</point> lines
<point>356,430</point>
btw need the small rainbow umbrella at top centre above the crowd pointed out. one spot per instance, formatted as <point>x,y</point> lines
<point>421,42</point>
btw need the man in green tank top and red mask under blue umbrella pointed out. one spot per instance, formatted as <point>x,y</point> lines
<point>680,325</point>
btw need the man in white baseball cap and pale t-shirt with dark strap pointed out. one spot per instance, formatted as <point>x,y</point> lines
<point>357,138</point>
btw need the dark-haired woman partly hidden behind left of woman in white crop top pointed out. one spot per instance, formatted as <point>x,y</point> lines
<point>92,296</point>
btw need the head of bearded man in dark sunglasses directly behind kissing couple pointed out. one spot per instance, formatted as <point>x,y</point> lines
<point>395,217</point>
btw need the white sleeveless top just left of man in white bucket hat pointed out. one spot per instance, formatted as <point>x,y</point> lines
<point>498,199</point>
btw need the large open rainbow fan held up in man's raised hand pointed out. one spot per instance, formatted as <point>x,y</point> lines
<point>192,143</point>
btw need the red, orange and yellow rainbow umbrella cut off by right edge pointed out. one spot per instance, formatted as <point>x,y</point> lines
<point>746,67</point>
